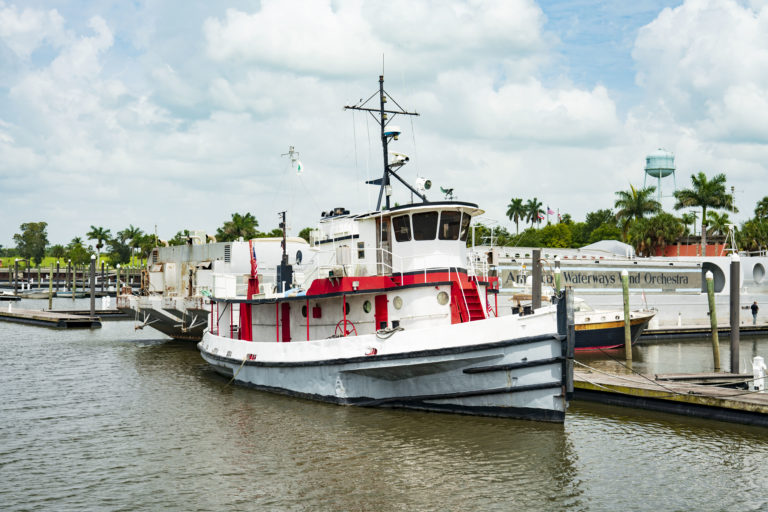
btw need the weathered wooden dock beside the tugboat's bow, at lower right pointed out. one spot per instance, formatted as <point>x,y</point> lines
<point>676,394</point>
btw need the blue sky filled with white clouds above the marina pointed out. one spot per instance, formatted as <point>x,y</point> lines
<point>172,115</point>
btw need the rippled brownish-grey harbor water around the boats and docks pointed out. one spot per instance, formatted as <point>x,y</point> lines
<point>124,419</point>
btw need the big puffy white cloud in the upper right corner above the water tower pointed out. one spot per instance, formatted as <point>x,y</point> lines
<point>707,60</point>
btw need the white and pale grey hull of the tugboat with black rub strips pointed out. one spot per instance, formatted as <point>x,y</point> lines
<point>507,367</point>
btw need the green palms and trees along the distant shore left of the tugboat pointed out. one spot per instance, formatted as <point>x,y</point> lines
<point>126,245</point>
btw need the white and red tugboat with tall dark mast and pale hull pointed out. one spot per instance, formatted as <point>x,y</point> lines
<point>393,317</point>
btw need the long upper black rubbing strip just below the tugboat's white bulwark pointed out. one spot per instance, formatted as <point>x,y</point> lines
<point>391,357</point>
